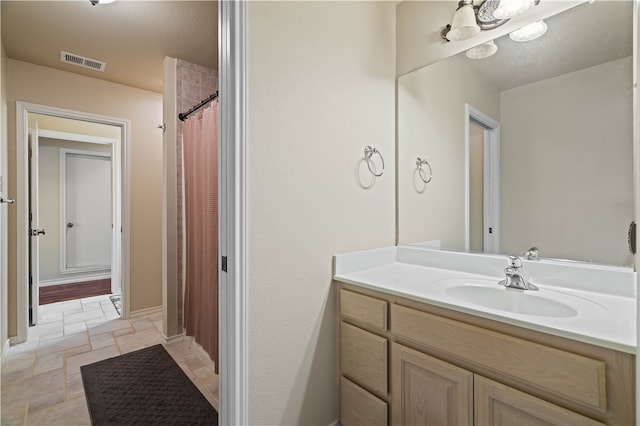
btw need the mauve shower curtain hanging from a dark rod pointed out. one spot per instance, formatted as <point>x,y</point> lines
<point>200,148</point>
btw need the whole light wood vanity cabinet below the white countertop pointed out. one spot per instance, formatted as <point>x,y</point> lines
<point>408,363</point>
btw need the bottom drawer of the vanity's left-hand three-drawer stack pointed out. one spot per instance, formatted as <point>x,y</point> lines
<point>359,408</point>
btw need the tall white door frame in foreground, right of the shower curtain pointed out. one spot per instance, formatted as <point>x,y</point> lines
<point>233,289</point>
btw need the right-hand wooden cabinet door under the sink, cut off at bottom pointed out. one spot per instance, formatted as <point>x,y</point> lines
<point>500,405</point>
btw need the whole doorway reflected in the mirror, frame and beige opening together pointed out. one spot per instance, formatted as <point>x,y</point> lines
<point>482,194</point>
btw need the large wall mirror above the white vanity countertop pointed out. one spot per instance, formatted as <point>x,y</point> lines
<point>531,147</point>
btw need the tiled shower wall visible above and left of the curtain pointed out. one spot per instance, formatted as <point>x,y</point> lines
<point>193,84</point>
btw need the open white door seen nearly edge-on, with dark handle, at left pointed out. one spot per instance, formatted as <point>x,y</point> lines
<point>34,227</point>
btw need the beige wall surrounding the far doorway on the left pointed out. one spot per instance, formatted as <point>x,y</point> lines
<point>144,109</point>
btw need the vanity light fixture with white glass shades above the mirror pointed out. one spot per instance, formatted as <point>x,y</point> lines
<point>469,19</point>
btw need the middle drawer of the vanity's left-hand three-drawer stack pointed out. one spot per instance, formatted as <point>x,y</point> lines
<point>363,358</point>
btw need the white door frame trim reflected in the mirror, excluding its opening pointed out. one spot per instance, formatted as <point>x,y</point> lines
<point>491,185</point>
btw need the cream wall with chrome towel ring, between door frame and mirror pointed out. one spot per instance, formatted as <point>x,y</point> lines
<point>321,87</point>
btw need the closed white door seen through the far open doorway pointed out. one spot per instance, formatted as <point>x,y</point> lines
<point>88,212</point>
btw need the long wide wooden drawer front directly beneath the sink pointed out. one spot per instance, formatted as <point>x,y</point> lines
<point>560,373</point>
